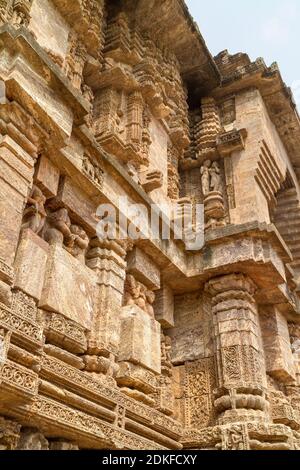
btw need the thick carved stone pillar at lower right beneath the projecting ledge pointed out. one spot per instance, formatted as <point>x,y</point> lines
<point>241,375</point>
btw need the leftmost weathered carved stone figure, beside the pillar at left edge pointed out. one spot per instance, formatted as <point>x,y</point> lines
<point>35,214</point>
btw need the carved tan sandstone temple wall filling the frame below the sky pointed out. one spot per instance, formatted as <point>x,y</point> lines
<point>144,344</point>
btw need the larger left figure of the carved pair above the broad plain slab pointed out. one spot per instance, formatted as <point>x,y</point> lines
<point>58,228</point>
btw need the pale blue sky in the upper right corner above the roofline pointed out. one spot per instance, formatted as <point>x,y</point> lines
<point>261,28</point>
